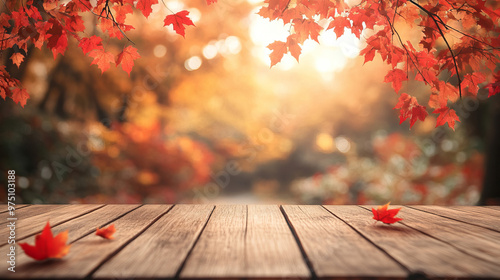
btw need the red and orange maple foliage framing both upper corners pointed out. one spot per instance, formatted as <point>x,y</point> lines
<point>453,49</point>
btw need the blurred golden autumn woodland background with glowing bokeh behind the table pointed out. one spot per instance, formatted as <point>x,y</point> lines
<point>205,120</point>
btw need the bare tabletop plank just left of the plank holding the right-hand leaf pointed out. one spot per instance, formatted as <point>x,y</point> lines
<point>335,249</point>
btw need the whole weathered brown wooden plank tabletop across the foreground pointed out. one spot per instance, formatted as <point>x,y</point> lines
<point>259,241</point>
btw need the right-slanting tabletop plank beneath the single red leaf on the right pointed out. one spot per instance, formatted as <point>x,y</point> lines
<point>418,252</point>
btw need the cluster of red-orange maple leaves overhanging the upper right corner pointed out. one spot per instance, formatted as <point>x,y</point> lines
<point>466,62</point>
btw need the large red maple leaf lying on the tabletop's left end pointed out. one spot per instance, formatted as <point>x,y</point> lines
<point>46,246</point>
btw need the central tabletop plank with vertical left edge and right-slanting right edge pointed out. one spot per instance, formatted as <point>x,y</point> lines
<point>269,236</point>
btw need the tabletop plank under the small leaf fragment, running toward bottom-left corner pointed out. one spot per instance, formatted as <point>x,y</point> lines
<point>88,253</point>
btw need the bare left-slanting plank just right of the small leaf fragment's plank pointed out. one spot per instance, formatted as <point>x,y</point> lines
<point>161,249</point>
